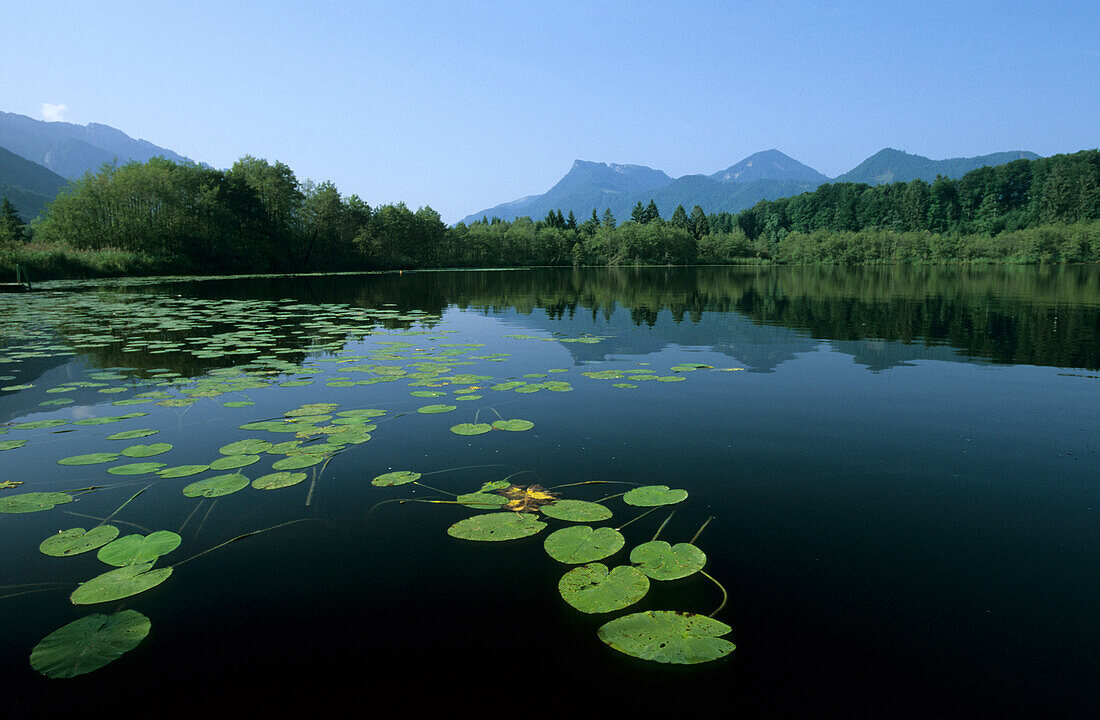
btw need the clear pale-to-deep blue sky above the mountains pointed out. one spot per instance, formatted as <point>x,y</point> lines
<point>463,106</point>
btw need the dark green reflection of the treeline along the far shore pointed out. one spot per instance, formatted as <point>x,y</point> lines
<point>1043,316</point>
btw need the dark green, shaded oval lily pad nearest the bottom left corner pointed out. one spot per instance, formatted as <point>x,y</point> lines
<point>90,644</point>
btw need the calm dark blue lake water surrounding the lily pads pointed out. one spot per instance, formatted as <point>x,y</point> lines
<point>901,467</point>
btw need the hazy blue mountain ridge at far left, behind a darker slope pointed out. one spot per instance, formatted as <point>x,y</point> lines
<point>71,150</point>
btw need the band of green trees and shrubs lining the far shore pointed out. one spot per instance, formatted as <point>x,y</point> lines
<point>167,218</point>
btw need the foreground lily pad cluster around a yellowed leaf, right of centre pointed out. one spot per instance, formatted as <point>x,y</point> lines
<point>659,636</point>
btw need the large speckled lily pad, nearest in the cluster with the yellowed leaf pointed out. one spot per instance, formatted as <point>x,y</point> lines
<point>668,637</point>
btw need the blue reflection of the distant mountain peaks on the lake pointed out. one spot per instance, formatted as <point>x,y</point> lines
<point>757,348</point>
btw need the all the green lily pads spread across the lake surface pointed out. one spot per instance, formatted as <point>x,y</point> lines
<point>106,326</point>
